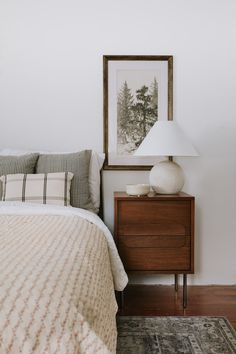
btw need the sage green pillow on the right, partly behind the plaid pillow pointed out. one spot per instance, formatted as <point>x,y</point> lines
<point>77,163</point>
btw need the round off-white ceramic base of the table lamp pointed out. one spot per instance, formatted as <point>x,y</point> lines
<point>166,177</point>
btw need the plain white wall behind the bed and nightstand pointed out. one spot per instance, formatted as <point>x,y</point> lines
<point>51,95</point>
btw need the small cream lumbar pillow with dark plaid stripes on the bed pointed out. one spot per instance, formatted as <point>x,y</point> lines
<point>44,188</point>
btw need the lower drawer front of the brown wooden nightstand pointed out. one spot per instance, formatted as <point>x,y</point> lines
<point>155,253</point>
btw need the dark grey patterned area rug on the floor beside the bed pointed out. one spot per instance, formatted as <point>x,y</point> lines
<point>175,335</point>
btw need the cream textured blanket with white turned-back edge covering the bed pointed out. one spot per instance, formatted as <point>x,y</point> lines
<point>57,276</point>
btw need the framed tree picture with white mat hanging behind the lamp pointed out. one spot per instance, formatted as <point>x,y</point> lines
<point>137,91</point>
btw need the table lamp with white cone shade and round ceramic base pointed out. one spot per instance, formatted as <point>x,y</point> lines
<point>166,138</point>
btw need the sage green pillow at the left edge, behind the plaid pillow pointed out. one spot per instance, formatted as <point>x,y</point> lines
<point>17,164</point>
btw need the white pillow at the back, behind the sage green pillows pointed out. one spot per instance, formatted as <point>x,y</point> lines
<point>96,163</point>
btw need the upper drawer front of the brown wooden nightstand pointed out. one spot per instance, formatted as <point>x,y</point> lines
<point>154,218</point>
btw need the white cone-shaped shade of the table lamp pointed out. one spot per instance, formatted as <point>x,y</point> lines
<point>166,138</point>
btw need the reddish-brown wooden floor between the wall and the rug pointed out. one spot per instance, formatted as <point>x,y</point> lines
<point>160,300</point>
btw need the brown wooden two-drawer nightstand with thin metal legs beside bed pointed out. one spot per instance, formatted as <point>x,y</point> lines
<point>155,234</point>
